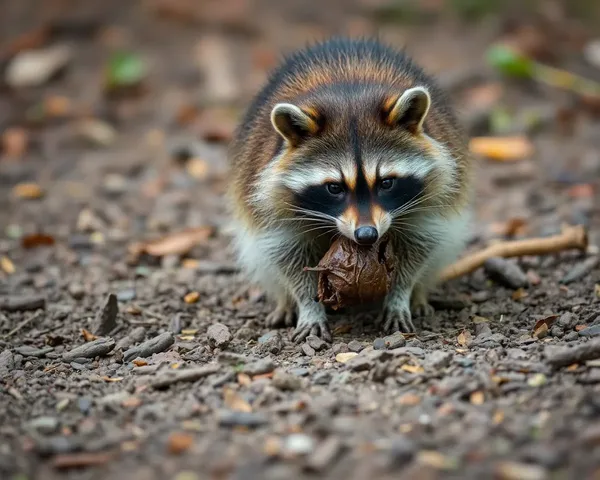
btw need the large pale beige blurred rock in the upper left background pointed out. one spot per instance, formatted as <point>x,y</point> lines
<point>32,68</point>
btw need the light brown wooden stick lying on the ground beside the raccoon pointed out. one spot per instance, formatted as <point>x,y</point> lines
<point>571,237</point>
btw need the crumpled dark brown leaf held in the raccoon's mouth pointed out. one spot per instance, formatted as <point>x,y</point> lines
<point>350,274</point>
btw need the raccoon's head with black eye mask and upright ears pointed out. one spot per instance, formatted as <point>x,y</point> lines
<point>356,163</point>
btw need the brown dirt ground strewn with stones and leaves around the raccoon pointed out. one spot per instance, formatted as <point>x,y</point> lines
<point>185,381</point>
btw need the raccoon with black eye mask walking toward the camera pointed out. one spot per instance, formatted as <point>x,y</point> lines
<point>348,137</point>
